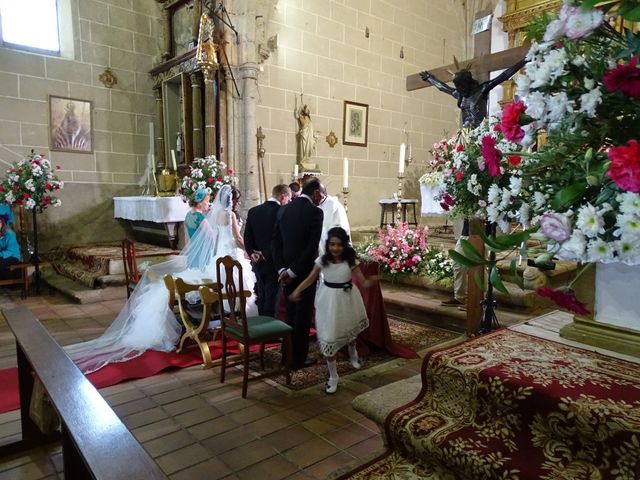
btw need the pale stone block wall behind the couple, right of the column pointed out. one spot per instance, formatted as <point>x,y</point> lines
<point>323,52</point>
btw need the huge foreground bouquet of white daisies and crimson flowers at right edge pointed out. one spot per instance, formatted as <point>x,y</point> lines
<point>582,87</point>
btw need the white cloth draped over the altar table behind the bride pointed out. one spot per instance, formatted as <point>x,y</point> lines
<point>150,209</point>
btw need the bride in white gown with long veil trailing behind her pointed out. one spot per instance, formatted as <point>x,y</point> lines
<point>146,322</point>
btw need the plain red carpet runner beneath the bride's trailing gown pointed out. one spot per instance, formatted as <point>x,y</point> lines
<point>146,365</point>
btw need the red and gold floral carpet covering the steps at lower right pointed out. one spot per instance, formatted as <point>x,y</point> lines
<point>508,405</point>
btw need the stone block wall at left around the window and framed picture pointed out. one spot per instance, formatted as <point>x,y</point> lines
<point>122,35</point>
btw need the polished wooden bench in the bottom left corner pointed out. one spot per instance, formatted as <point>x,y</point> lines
<point>95,443</point>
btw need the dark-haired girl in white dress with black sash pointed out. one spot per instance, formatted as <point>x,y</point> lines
<point>340,312</point>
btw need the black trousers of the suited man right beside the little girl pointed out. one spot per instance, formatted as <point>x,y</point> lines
<point>299,316</point>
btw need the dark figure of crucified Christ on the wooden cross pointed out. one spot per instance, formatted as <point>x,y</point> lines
<point>471,95</point>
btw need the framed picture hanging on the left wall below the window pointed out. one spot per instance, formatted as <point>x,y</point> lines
<point>70,125</point>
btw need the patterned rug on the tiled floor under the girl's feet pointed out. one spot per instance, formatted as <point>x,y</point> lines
<point>416,337</point>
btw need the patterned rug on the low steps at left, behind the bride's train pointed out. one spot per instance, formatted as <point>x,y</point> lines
<point>86,264</point>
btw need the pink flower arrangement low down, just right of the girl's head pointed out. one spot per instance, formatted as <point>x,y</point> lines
<point>400,250</point>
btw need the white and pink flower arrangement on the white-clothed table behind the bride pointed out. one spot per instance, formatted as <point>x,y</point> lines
<point>208,173</point>
